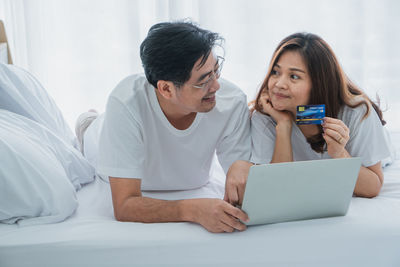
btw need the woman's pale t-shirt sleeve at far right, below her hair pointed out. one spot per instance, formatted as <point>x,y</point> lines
<point>367,138</point>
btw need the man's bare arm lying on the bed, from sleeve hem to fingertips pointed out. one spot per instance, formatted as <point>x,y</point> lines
<point>215,215</point>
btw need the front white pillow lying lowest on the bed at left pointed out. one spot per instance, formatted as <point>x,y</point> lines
<point>34,187</point>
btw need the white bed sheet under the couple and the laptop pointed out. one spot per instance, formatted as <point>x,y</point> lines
<point>369,235</point>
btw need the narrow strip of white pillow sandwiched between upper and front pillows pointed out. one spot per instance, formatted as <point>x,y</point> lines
<point>76,166</point>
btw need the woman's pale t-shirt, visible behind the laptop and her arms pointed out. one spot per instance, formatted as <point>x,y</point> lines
<point>367,138</point>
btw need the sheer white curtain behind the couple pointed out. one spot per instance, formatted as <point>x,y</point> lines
<point>80,49</point>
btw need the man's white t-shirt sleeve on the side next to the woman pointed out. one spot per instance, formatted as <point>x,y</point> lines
<point>236,143</point>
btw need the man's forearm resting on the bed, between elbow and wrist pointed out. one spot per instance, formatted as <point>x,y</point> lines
<point>148,210</point>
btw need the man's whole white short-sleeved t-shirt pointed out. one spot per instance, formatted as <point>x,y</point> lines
<point>137,140</point>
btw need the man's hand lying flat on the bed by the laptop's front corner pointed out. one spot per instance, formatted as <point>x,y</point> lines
<point>218,216</point>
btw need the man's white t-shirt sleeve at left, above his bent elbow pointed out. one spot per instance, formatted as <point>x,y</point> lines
<point>121,146</point>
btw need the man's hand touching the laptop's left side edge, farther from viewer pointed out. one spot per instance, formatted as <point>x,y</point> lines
<point>236,179</point>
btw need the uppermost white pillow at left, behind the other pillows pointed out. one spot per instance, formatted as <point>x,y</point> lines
<point>21,93</point>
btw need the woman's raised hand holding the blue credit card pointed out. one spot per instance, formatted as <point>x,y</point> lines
<point>336,135</point>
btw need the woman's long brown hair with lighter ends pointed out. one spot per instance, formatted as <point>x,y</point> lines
<point>330,85</point>
